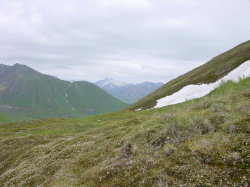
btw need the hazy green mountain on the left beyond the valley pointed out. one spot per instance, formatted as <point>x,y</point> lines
<point>28,94</point>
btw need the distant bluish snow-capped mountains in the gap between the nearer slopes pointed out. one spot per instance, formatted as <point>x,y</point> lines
<point>127,92</point>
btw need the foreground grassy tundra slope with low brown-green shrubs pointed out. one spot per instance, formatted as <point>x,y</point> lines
<point>202,142</point>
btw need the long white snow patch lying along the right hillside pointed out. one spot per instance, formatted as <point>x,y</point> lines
<point>196,91</point>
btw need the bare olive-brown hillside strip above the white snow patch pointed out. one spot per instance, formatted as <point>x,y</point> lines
<point>213,70</point>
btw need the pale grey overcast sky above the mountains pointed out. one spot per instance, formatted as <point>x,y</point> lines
<point>129,40</point>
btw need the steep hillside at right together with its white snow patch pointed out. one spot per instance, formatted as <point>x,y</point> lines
<point>201,80</point>
